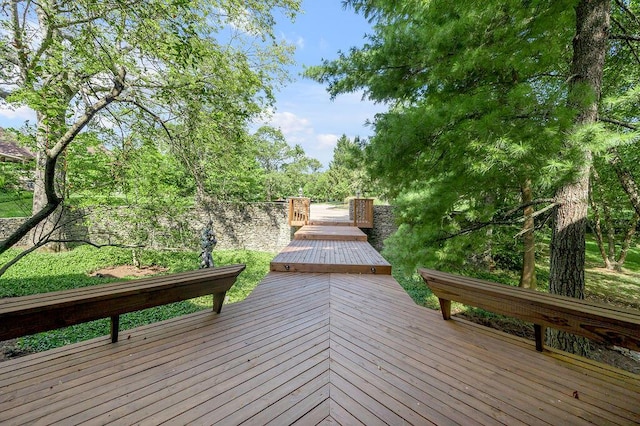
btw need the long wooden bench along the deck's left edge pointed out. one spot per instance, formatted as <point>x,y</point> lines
<point>20,316</point>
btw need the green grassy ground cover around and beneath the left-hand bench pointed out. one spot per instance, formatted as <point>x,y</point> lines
<point>43,272</point>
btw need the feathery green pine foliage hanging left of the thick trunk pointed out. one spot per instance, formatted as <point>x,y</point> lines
<point>472,118</point>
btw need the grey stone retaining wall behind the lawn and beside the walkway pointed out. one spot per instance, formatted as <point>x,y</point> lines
<point>250,226</point>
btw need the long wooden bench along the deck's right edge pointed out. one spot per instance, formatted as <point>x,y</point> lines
<point>602,323</point>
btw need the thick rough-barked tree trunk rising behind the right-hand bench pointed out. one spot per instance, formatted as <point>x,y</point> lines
<point>566,274</point>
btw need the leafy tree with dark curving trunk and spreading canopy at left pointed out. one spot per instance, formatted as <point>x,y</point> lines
<point>132,65</point>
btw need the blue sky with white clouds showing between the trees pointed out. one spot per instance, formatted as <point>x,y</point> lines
<point>304,111</point>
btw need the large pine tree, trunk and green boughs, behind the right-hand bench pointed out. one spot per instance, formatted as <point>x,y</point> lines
<point>483,98</point>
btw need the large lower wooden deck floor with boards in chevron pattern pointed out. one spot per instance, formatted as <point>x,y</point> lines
<point>311,348</point>
